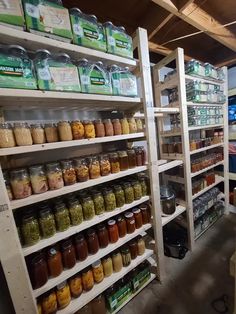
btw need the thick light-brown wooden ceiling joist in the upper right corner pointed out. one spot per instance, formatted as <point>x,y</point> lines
<point>197,17</point>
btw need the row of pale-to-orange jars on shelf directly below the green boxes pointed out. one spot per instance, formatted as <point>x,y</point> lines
<point>21,134</point>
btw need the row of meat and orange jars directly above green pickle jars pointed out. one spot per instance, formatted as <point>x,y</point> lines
<point>23,183</point>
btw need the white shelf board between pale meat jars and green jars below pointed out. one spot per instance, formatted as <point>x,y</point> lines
<point>73,188</point>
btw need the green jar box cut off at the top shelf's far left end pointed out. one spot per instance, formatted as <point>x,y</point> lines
<point>12,14</point>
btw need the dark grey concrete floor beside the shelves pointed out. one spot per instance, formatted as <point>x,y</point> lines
<point>195,281</point>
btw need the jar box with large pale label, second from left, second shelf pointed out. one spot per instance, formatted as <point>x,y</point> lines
<point>56,72</point>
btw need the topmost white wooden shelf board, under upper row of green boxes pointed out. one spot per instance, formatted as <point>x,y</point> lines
<point>33,42</point>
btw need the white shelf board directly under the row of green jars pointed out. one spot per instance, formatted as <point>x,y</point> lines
<point>83,226</point>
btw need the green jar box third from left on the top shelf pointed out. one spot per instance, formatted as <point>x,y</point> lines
<point>87,32</point>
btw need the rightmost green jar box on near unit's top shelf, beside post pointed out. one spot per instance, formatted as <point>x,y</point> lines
<point>118,41</point>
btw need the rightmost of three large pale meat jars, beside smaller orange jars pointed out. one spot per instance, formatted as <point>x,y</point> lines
<point>54,176</point>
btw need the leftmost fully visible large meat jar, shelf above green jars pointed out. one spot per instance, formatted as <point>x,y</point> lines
<point>20,183</point>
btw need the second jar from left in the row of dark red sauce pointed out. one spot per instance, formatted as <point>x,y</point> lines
<point>54,260</point>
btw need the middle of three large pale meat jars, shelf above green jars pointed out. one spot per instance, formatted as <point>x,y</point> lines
<point>38,179</point>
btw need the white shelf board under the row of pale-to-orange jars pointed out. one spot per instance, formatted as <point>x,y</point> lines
<point>61,145</point>
